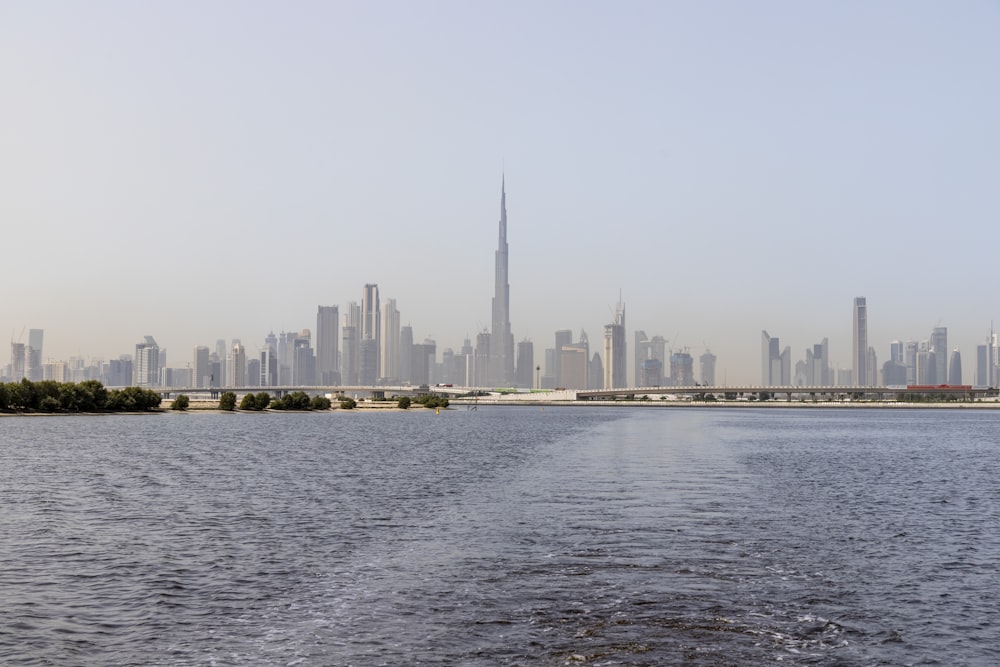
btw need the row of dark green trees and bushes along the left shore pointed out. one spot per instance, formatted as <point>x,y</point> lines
<point>52,397</point>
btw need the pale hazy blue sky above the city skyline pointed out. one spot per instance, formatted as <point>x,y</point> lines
<point>196,171</point>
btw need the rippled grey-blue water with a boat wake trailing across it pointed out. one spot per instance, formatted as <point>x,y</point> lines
<point>505,536</point>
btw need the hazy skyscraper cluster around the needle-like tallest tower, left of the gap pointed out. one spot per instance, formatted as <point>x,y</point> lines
<point>367,345</point>
